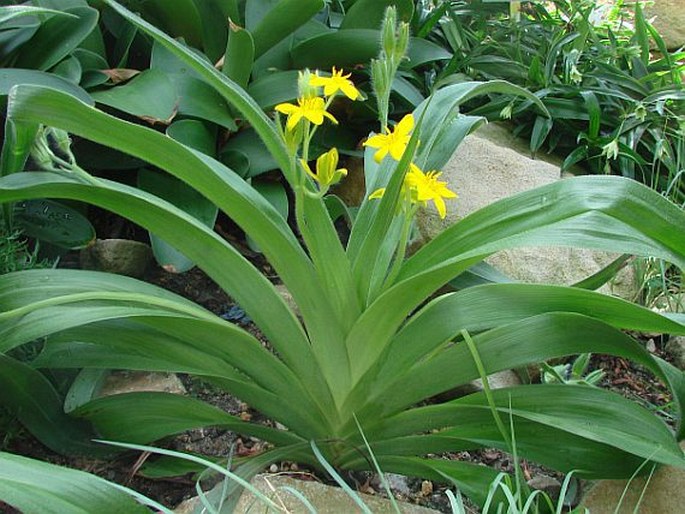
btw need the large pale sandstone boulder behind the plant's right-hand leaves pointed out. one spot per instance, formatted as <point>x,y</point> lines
<point>492,164</point>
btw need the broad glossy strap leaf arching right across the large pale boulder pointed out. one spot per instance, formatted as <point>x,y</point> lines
<point>604,213</point>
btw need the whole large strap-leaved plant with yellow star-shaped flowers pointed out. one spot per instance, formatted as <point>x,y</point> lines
<point>367,348</point>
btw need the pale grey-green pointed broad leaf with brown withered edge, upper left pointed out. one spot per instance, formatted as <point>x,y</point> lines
<point>150,95</point>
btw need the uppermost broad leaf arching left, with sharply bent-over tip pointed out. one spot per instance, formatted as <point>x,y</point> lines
<point>228,191</point>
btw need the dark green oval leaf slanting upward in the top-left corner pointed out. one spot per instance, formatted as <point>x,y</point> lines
<point>57,37</point>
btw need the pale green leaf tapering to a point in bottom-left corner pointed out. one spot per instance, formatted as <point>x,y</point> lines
<point>36,487</point>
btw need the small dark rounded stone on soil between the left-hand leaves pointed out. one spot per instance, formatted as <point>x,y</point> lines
<point>120,256</point>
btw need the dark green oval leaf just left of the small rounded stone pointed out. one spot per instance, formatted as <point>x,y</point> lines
<point>54,223</point>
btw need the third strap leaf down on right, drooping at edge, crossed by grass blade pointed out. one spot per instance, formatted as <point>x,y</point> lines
<point>527,341</point>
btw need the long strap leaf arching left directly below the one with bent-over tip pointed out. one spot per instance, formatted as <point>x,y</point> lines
<point>222,262</point>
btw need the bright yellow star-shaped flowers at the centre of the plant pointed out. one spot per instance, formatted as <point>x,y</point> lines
<point>311,109</point>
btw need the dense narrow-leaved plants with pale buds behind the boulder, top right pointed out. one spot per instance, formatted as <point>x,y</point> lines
<point>616,104</point>
